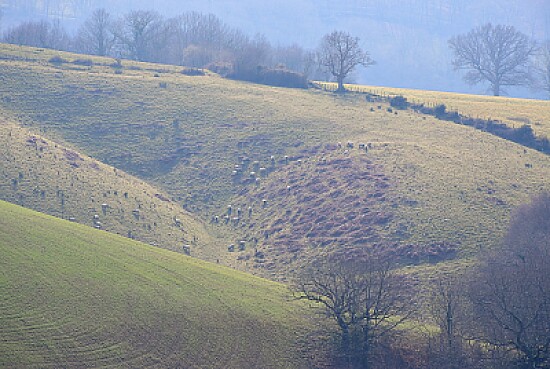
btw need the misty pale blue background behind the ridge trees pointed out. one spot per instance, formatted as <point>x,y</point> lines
<point>407,38</point>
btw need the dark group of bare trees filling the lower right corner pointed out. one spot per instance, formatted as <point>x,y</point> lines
<point>495,316</point>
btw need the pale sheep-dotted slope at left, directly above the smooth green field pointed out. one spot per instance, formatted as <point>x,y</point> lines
<point>54,179</point>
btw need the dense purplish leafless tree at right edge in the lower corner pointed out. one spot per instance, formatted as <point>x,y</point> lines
<point>511,295</point>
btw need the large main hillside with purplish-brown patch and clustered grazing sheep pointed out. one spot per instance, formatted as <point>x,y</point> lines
<point>426,190</point>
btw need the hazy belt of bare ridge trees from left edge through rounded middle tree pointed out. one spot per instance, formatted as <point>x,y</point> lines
<point>197,40</point>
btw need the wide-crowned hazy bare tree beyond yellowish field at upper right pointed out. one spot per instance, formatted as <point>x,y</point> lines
<point>498,54</point>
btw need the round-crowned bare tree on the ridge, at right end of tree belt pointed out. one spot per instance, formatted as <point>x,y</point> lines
<point>339,54</point>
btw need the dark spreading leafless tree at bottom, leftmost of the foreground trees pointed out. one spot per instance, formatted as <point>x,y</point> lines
<point>362,297</point>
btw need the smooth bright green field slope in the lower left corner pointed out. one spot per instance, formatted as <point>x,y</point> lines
<point>72,296</point>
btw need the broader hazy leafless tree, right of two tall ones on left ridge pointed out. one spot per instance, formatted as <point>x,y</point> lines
<point>136,32</point>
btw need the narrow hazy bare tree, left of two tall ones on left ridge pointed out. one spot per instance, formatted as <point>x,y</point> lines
<point>95,36</point>
